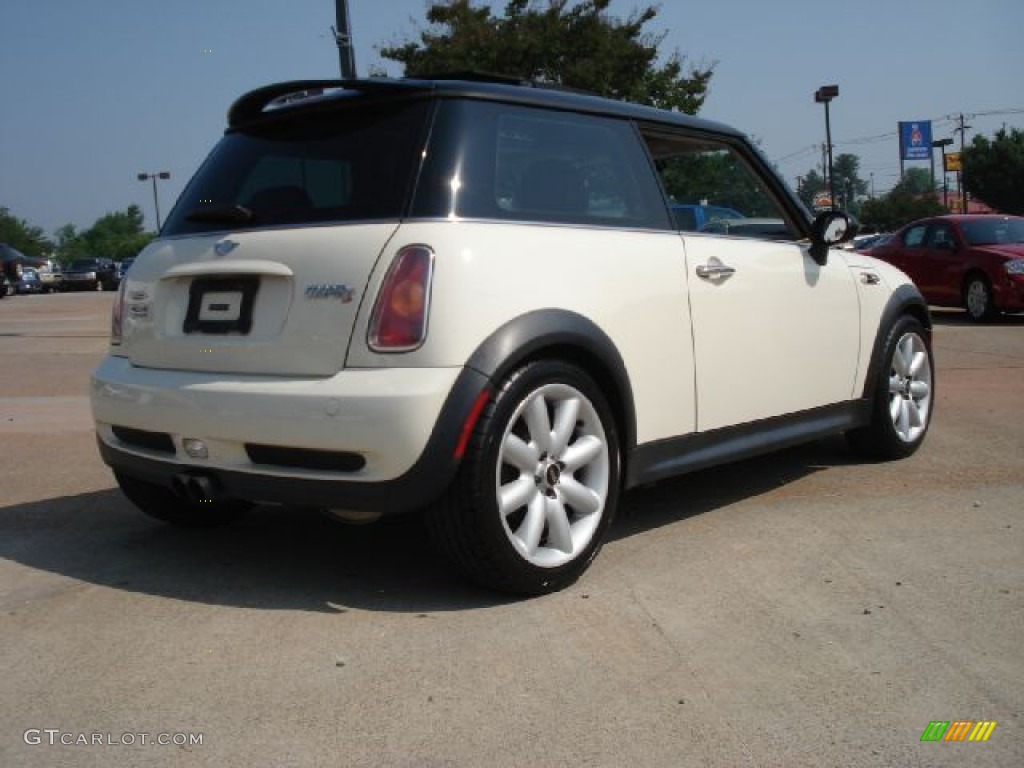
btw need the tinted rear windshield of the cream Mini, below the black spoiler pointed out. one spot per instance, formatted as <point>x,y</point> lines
<point>356,164</point>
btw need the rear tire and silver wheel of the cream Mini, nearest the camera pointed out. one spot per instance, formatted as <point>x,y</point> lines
<point>529,508</point>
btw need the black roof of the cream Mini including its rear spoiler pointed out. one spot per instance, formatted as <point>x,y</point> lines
<point>303,95</point>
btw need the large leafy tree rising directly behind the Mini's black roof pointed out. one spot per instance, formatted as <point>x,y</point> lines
<point>577,46</point>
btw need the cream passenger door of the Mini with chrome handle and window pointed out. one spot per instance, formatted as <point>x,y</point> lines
<point>775,333</point>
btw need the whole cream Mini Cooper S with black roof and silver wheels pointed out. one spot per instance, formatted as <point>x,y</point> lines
<point>486,302</point>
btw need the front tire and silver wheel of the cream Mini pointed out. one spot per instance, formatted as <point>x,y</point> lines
<point>903,398</point>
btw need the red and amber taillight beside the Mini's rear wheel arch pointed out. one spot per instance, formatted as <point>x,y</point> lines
<point>400,320</point>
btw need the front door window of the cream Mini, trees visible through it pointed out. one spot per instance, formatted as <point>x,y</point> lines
<point>711,189</point>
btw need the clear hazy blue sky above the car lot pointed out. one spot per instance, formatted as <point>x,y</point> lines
<point>94,93</point>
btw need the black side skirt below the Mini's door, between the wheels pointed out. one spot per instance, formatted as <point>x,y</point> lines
<point>657,461</point>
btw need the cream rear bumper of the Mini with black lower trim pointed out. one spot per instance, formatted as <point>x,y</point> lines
<point>380,441</point>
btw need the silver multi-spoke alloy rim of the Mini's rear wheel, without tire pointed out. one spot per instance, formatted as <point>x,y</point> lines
<point>552,476</point>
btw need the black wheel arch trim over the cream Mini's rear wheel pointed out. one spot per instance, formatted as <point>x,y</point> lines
<point>568,336</point>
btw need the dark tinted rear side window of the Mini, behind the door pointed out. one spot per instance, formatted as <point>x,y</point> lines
<point>516,163</point>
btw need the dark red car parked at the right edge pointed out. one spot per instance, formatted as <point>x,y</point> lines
<point>973,262</point>
